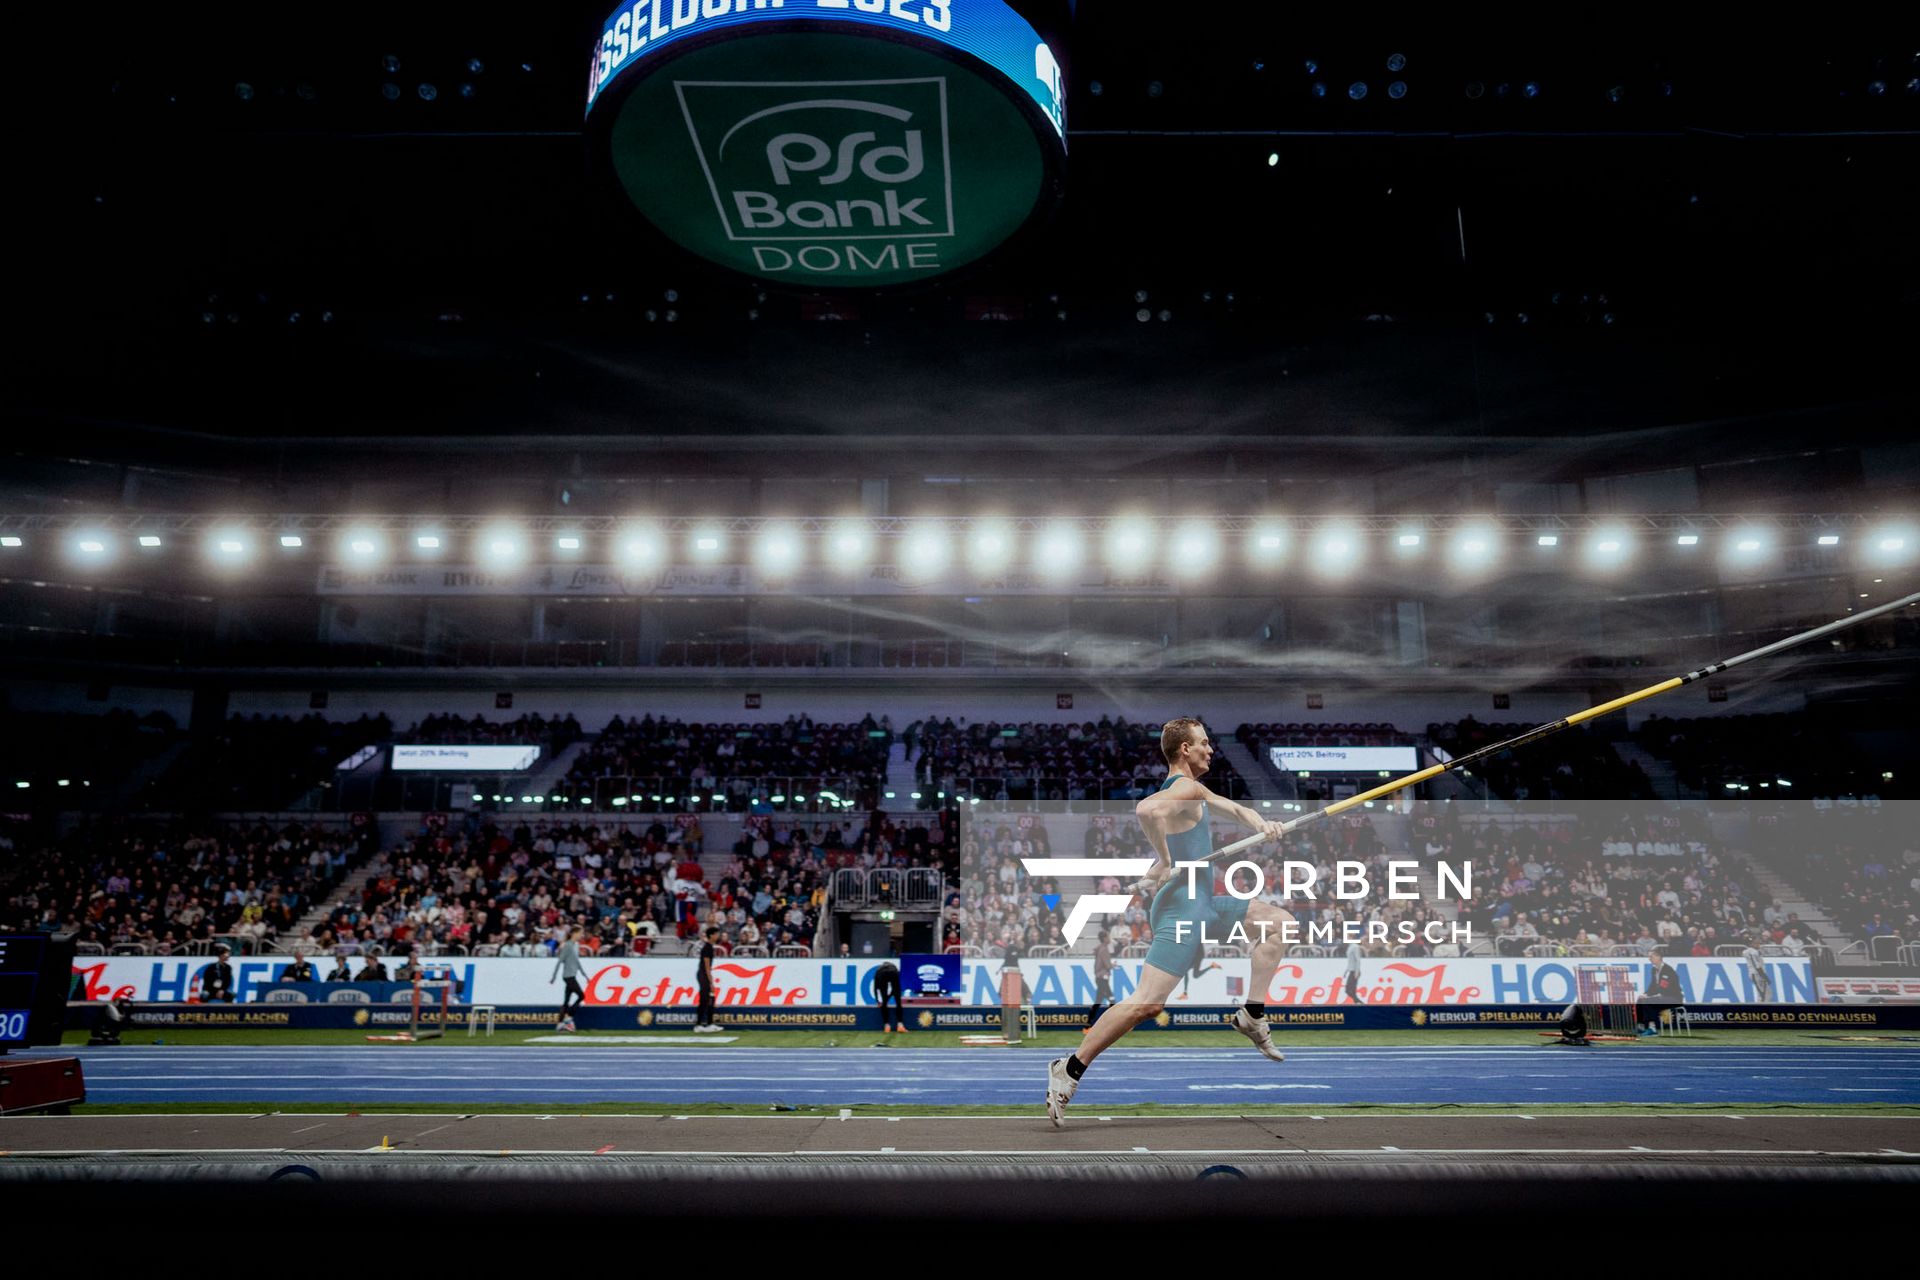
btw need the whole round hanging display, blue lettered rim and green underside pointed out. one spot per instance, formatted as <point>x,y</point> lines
<point>830,143</point>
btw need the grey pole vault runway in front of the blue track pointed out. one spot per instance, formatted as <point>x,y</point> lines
<point>1276,1145</point>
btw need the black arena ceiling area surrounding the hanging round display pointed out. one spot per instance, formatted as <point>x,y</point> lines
<point>1639,239</point>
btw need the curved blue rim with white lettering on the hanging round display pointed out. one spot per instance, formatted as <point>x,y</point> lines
<point>984,30</point>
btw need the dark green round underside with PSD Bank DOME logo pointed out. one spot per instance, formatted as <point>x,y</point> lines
<point>828,160</point>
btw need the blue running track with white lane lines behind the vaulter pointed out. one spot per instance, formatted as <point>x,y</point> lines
<point>1209,1078</point>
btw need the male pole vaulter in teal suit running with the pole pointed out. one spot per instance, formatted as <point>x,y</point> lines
<point>1176,822</point>
